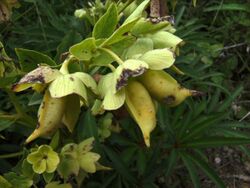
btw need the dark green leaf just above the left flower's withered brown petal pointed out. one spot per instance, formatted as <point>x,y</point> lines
<point>30,59</point>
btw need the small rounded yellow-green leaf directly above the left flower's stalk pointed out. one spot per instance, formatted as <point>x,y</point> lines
<point>84,50</point>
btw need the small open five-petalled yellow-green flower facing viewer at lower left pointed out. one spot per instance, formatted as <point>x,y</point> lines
<point>44,159</point>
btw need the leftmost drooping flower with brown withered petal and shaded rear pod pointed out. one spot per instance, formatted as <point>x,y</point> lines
<point>60,83</point>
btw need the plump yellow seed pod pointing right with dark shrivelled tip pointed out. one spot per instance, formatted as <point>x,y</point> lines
<point>165,88</point>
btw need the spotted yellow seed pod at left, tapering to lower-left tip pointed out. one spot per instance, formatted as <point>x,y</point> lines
<point>50,115</point>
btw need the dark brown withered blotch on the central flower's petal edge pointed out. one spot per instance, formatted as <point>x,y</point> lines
<point>126,73</point>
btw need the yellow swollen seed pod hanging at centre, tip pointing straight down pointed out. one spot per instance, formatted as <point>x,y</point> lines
<point>141,108</point>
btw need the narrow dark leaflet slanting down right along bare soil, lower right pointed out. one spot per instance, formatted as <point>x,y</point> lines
<point>206,169</point>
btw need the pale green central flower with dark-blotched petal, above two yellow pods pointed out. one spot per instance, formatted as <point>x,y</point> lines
<point>112,86</point>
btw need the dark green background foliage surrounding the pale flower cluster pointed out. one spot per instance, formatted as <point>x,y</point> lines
<point>215,60</point>
